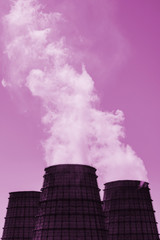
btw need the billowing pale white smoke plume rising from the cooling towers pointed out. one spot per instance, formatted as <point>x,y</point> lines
<point>40,60</point>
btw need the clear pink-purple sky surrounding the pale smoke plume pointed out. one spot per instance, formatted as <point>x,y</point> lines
<point>118,41</point>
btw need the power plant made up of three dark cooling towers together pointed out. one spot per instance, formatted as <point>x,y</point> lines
<point>69,208</point>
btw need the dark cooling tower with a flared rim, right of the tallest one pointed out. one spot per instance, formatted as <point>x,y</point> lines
<point>128,211</point>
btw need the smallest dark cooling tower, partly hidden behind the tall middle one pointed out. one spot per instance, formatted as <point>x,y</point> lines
<point>20,218</point>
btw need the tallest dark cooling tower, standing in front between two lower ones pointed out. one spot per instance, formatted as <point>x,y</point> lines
<point>70,206</point>
